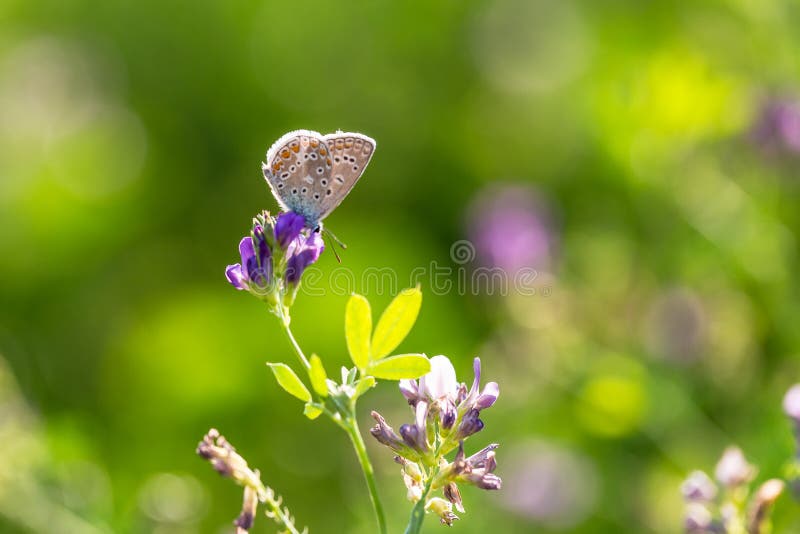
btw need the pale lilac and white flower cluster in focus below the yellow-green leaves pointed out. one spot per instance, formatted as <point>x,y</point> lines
<point>446,413</point>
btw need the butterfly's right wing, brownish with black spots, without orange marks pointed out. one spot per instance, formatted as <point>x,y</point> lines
<point>350,154</point>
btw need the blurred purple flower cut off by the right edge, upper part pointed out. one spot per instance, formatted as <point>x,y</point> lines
<point>777,127</point>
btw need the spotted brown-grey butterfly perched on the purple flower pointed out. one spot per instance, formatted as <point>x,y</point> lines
<point>310,173</point>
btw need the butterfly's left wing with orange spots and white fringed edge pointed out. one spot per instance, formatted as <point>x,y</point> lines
<point>297,166</point>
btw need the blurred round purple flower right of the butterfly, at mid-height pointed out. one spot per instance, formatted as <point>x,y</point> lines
<point>510,229</point>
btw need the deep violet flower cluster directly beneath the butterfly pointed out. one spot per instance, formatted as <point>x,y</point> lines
<point>274,255</point>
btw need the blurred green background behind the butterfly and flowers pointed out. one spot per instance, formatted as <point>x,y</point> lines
<point>651,145</point>
